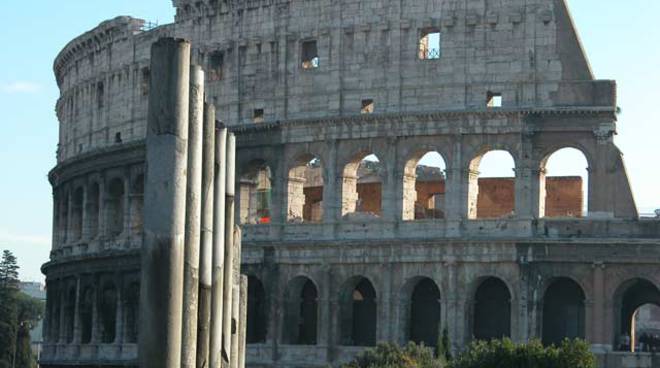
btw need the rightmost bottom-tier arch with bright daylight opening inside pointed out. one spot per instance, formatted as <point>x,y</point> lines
<point>638,302</point>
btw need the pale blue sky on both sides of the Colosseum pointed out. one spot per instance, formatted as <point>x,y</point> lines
<point>620,37</point>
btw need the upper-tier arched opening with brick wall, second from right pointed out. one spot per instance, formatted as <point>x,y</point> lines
<point>491,192</point>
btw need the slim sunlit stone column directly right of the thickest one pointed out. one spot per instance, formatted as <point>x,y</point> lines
<point>193,215</point>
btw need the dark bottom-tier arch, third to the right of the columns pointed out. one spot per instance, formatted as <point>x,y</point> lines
<point>358,313</point>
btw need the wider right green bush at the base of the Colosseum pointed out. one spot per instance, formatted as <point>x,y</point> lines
<point>506,354</point>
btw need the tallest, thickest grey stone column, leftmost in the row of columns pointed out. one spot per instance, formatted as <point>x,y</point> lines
<point>161,296</point>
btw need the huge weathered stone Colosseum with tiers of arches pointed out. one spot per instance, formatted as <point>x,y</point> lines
<point>361,128</point>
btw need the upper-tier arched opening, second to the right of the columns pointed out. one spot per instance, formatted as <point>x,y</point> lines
<point>305,189</point>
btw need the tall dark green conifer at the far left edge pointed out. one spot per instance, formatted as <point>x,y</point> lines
<point>8,308</point>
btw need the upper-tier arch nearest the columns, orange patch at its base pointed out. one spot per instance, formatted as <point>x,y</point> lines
<point>255,193</point>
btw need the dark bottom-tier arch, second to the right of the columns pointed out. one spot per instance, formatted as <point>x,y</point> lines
<point>301,312</point>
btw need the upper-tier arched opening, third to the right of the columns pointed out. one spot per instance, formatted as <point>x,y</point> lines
<point>362,186</point>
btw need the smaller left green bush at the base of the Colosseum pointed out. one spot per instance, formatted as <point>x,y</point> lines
<point>389,355</point>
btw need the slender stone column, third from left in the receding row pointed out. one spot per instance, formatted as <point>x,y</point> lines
<point>206,246</point>
